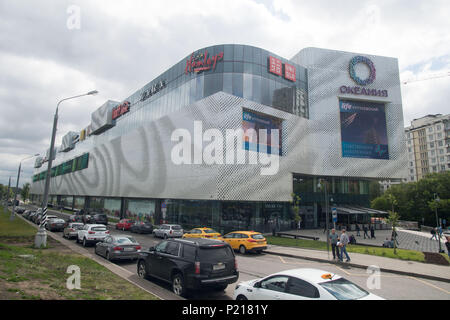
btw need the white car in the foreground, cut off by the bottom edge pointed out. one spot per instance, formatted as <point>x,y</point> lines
<point>301,284</point>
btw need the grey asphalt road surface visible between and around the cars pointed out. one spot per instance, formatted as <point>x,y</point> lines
<point>251,266</point>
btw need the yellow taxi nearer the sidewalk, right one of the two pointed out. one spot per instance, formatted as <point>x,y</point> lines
<point>245,241</point>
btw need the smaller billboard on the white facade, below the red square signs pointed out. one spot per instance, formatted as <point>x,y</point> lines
<point>266,123</point>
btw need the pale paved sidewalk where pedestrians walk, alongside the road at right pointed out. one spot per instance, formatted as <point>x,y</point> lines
<point>407,268</point>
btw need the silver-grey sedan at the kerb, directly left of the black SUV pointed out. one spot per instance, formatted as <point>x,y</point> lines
<point>116,247</point>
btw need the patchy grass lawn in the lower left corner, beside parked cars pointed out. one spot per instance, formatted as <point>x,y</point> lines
<point>42,274</point>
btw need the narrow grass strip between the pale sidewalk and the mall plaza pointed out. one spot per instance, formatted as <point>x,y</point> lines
<point>402,254</point>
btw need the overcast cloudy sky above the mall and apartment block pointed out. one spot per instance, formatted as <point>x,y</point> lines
<point>122,45</point>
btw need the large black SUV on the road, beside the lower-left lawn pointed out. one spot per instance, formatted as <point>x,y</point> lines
<point>190,264</point>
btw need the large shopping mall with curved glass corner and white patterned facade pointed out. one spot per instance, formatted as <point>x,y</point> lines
<point>226,136</point>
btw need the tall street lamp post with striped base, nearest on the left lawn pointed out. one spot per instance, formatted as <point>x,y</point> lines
<point>41,236</point>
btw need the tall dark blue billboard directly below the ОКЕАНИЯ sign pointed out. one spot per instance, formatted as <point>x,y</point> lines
<point>363,129</point>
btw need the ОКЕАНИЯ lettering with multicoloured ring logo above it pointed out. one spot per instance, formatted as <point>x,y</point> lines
<point>357,90</point>
